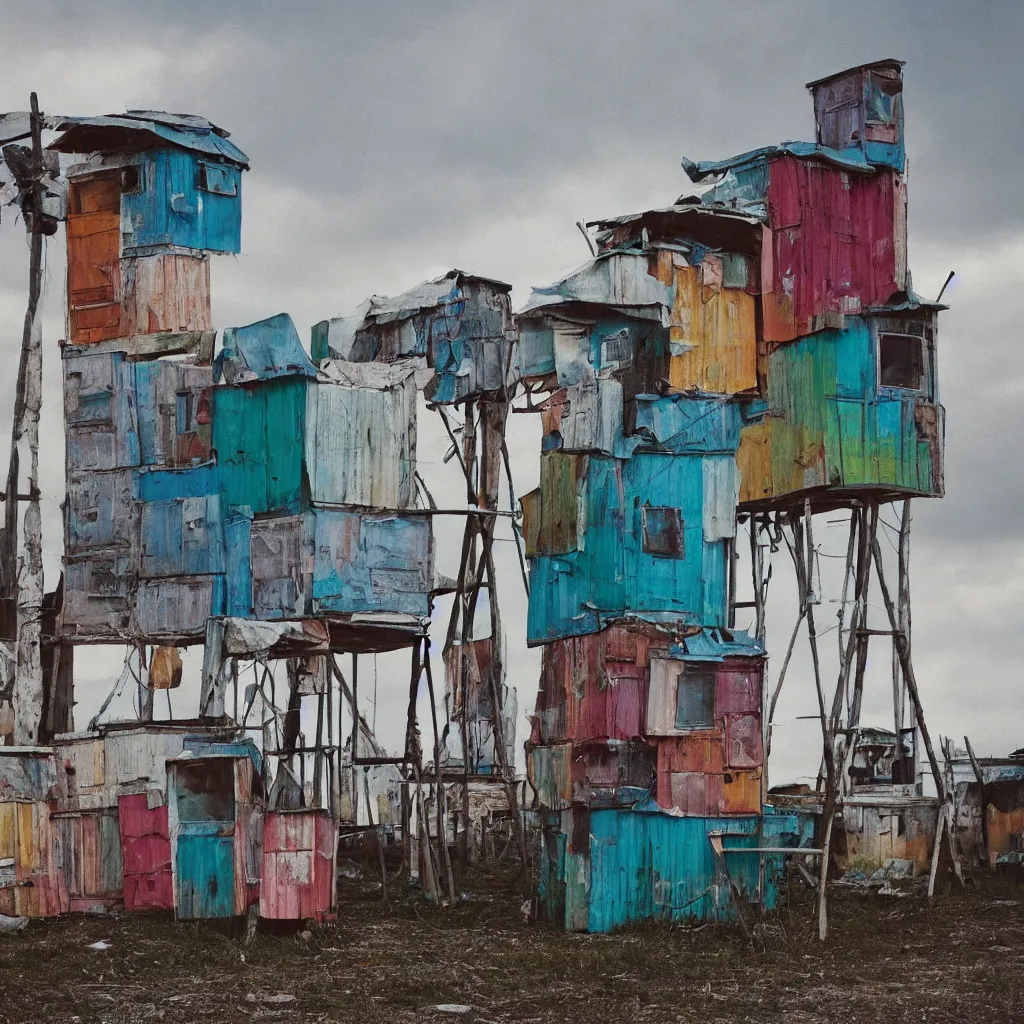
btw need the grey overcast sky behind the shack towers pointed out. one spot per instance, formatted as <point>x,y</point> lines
<point>391,143</point>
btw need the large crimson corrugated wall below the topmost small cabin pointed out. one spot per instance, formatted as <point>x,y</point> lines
<point>831,245</point>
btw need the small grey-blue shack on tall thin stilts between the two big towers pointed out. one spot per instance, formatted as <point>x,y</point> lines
<point>455,335</point>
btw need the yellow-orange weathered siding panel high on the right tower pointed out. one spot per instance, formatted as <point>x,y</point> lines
<point>712,332</point>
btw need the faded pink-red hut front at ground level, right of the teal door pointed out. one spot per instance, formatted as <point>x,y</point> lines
<point>298,865</point>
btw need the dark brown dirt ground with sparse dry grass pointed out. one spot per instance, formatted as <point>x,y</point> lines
<point>888,959</point>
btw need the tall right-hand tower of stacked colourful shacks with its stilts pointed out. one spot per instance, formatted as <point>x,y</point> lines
<point>755,349</point>
